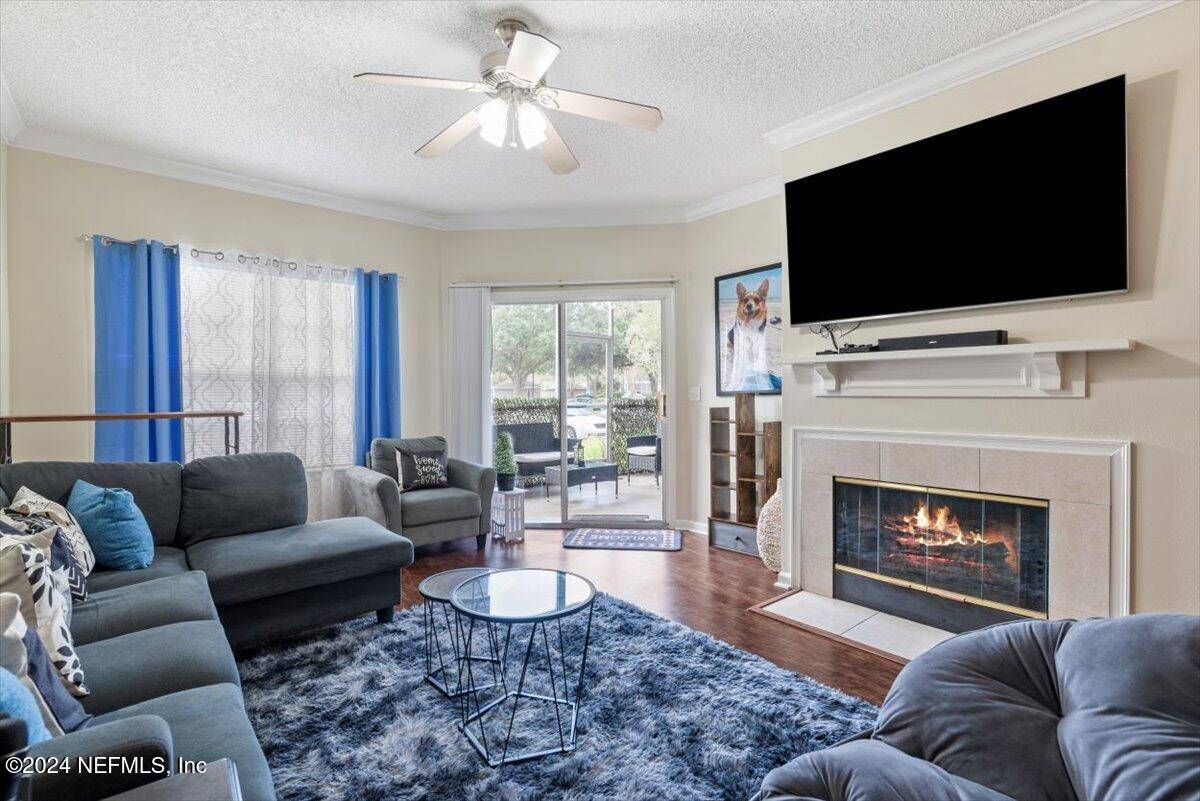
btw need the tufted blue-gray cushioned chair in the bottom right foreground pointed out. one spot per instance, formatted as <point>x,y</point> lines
<point>1031,710</point>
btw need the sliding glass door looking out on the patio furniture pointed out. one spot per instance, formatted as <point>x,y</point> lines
<point>578,382</point>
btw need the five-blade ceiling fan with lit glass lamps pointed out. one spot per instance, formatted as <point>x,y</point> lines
<point>514,80</point>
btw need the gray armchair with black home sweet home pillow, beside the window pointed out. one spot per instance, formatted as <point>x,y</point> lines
<point>424,516</point>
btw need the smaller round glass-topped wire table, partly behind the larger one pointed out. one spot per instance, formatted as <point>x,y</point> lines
<point>445,646</point>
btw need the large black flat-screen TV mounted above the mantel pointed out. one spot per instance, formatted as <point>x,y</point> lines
<point>1029,206</point>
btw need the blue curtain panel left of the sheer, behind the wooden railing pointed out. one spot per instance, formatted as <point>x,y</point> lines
<point>137,350</point>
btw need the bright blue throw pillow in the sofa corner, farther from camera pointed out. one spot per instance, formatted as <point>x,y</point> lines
<point>115,526</point>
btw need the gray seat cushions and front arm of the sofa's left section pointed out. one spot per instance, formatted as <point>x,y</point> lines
<point>164,685</point>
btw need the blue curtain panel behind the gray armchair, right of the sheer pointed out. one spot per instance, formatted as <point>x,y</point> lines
<point>376,359</point>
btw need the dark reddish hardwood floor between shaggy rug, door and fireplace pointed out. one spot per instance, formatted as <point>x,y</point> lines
<point>700,587</point>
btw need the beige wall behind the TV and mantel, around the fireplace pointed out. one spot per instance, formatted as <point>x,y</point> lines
<point>1150,396</point>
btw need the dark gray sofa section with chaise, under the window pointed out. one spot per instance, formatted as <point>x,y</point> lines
<point>242,521</point>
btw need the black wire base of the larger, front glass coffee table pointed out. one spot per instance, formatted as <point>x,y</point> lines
<point>494,749</point>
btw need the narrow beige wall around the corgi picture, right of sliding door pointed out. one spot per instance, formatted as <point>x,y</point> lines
<point>748,237</point>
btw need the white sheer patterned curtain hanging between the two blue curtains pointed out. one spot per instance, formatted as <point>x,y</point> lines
<point>275,340</point>
